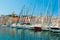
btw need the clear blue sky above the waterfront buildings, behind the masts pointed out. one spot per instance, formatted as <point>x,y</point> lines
<point>36,7</point>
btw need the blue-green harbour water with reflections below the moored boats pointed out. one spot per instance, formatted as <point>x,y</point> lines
<point>24,34</point>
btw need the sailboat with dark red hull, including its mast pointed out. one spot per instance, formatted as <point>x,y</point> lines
<point>35,26</point>
